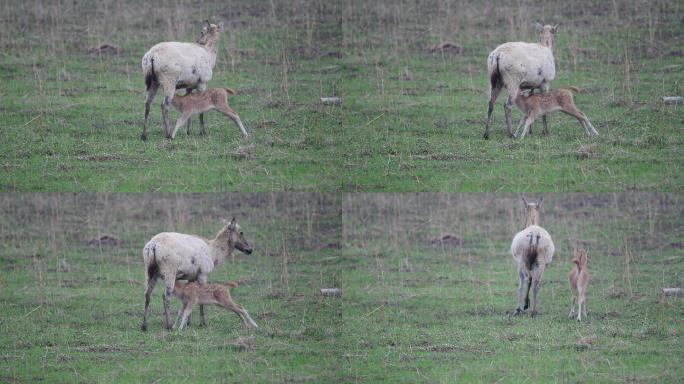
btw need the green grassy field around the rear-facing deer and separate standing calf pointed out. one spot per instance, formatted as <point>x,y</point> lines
<point>420,311</point>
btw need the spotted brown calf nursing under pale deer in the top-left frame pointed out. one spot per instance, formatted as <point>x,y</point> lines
<point>198,103</point>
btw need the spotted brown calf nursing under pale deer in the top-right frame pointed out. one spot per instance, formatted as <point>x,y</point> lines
<point>534,105</point>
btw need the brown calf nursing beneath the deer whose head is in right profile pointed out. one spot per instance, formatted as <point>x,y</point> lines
<point>191,294</point>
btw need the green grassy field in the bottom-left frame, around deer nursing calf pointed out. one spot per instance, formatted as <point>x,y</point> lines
<point>72,308</point>
